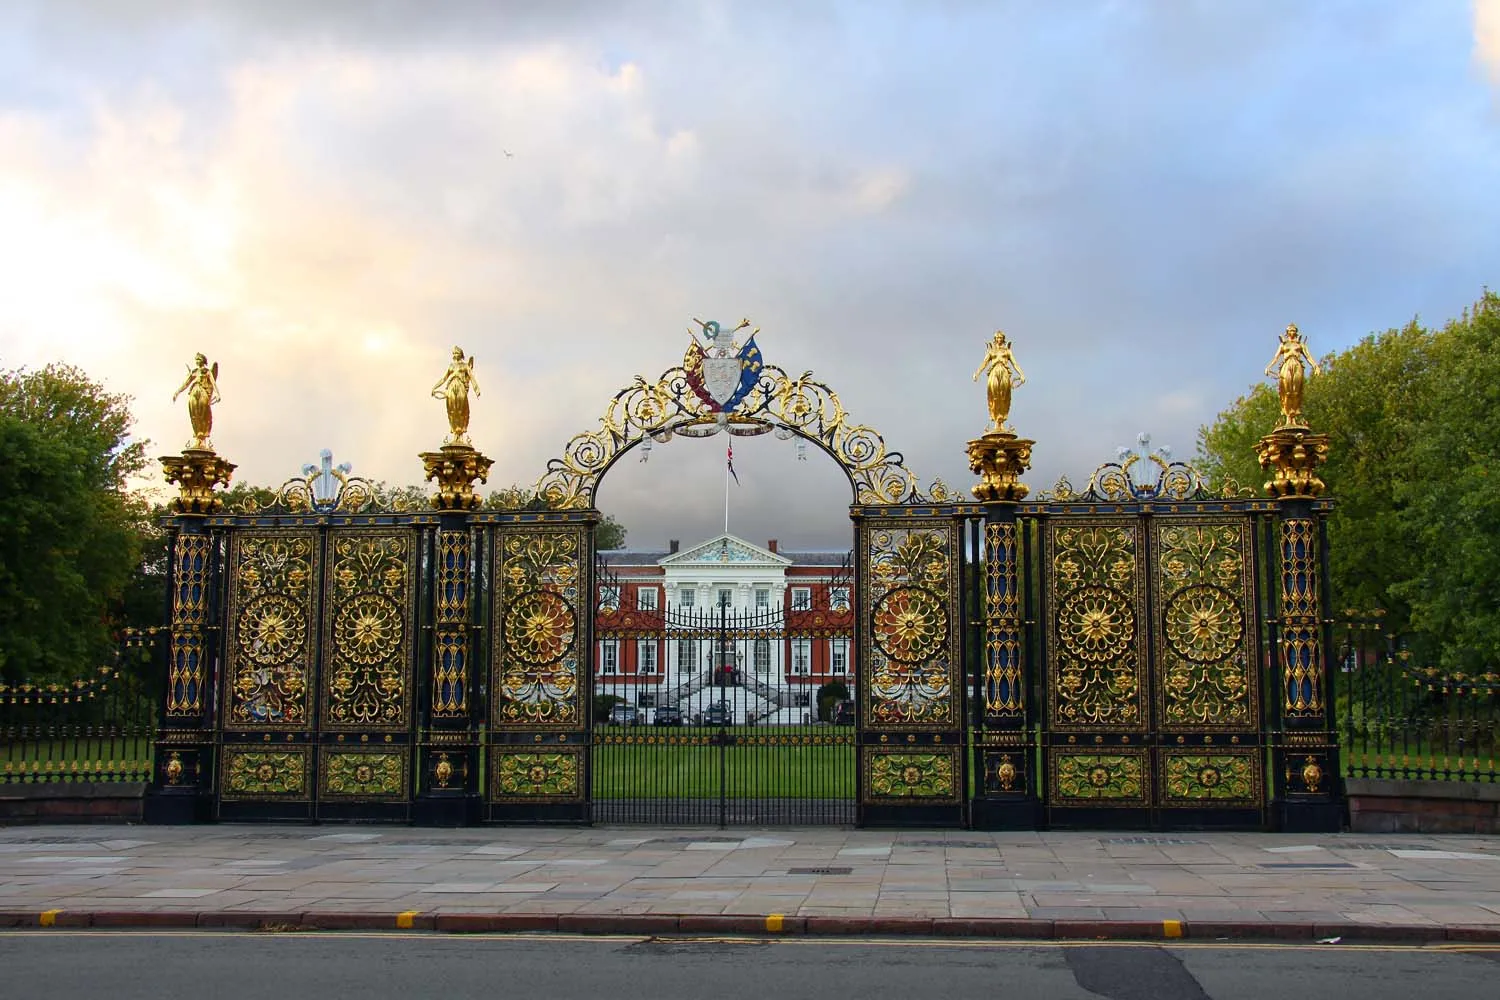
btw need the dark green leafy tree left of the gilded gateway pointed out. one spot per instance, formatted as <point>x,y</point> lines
<point>70,531</point>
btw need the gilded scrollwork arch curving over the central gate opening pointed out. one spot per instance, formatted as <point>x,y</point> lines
<point>776,403</point>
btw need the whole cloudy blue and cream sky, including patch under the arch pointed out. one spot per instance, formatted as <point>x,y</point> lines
<point>328,197</point>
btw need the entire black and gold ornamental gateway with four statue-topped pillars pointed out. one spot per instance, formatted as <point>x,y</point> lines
<point>1144,653</point>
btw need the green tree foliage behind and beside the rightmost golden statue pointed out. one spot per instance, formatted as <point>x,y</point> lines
<point>1414,419</point>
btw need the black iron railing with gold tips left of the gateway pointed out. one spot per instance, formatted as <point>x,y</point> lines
<point>98,728</point>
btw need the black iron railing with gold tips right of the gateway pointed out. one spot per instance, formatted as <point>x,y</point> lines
<point>1403,720</point>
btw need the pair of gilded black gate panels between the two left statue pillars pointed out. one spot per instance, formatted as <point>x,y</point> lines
<point>317,687</point>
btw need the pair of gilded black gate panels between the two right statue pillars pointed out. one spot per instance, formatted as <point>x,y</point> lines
<point>1153,672</point>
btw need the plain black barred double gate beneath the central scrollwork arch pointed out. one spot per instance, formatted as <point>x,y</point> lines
<point>737,738</point>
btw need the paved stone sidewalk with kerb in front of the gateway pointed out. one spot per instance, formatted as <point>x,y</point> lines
<point>628,879</point>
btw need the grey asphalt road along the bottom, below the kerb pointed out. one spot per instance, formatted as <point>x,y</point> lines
<point>235,966</point>
